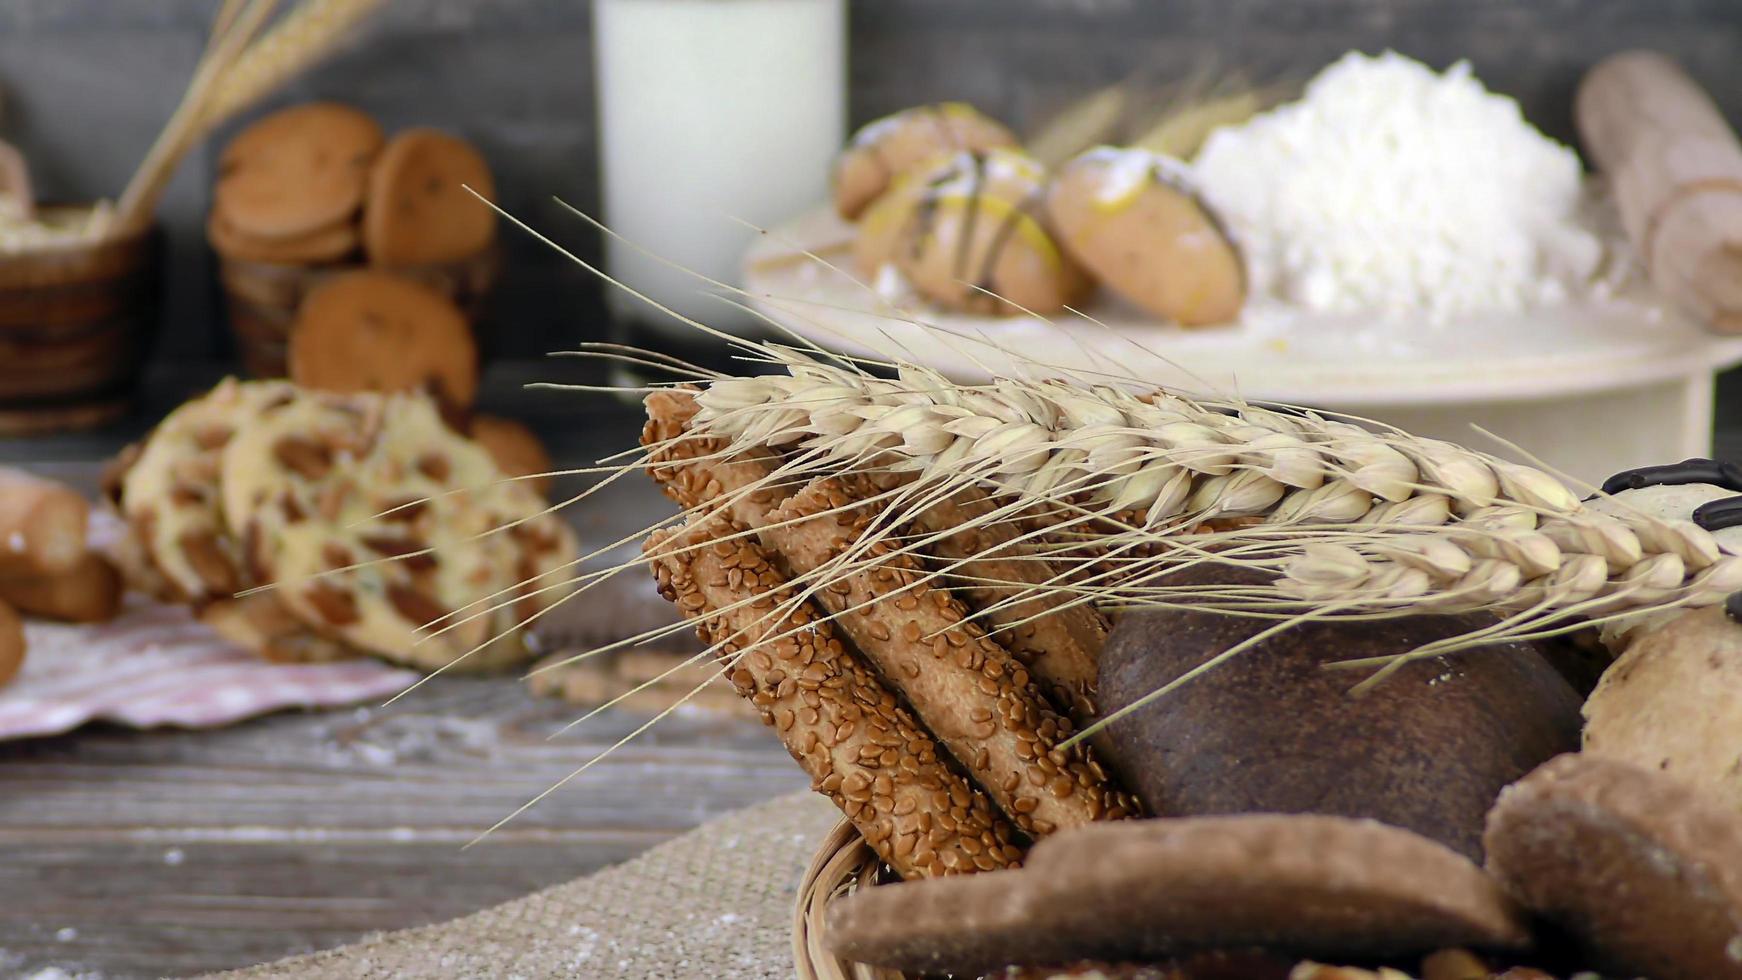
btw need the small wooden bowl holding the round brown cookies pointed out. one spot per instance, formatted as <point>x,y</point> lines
<point>262,299</point>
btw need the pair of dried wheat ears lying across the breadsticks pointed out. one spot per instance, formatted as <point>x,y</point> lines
<point>1117,490</point>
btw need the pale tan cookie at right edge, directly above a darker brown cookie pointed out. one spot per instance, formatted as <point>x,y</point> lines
<point>1673,704</point>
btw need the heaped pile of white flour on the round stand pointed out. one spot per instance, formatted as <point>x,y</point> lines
<point>1391,187</point>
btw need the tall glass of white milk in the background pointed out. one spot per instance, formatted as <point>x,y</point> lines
<point>712,112</point>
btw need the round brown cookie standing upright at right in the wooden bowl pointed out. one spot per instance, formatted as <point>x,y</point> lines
<point>421,210</point>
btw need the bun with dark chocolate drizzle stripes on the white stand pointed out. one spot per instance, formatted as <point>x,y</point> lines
<point>969,234</point>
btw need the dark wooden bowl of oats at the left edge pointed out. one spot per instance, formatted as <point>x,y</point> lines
<point>76,325</point>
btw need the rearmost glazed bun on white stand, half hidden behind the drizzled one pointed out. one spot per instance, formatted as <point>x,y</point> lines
<point>886,149</point>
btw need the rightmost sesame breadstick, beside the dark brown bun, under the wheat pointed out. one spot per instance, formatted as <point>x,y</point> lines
<point>1060,647</point>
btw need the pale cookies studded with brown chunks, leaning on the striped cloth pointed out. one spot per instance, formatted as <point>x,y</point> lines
<point>375,525</point>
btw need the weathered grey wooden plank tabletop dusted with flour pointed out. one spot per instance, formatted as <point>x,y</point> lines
<point>180,852</point>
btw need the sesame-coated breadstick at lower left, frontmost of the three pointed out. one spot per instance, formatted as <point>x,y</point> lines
<point>846,730</point>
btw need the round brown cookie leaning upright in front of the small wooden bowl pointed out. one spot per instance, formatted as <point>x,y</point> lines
<point>374,332</point>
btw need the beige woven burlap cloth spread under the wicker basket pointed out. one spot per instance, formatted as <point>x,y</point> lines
<point>715,903</point>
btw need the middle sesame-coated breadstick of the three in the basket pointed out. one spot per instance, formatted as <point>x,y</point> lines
<point>973,695</point>
